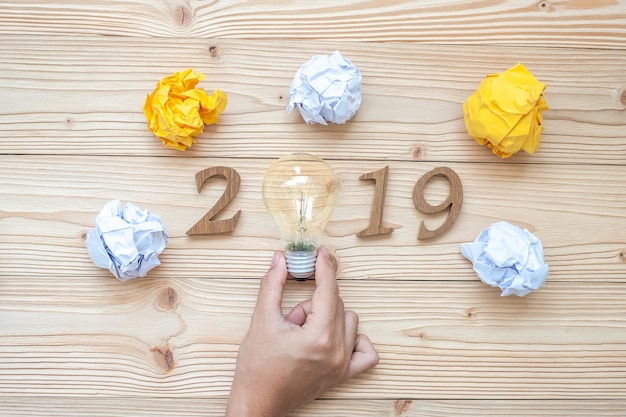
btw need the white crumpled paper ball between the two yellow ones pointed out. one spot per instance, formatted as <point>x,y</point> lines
<point>326,89</point>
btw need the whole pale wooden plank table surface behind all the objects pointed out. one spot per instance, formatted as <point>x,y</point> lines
<point>74,341</point>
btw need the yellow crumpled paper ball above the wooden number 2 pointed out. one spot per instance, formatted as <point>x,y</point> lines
<point>176,111</point>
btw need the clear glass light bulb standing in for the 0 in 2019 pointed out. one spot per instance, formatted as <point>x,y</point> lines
<point>299,192</point>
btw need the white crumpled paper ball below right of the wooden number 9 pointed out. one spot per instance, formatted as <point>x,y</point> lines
<point>508,257</point>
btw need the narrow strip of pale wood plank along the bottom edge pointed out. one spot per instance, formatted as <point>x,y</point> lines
<point>196,407</point>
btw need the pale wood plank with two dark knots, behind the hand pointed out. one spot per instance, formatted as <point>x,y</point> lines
<point>436,340</point>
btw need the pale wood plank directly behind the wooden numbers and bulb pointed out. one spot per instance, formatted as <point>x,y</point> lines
<point>49,203</point>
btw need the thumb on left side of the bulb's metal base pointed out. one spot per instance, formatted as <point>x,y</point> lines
<point>270,295</point>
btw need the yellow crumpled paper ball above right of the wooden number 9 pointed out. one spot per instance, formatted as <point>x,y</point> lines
<point>504,113</point>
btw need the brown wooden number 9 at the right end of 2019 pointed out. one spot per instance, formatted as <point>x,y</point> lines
<point>454,201</point>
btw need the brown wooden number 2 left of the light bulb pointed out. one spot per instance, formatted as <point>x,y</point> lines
<point>206,225</point>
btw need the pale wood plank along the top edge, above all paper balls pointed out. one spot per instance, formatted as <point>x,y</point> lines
<point>597,24</point>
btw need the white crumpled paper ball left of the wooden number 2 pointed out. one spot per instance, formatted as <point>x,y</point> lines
<point>127,241</point>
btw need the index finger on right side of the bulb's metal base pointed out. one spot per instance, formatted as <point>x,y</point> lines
<point>325,300</point>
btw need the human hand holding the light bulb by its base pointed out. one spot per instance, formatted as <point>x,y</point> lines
<point>287,361</point>
